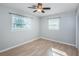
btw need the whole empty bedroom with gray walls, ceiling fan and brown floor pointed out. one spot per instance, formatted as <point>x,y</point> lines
<point>39,29</point>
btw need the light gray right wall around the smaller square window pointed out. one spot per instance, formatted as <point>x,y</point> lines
<point>67,30</point>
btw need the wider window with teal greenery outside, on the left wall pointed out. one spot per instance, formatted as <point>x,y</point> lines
<point>20,22</point>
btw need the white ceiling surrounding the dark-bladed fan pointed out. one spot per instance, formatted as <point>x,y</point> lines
<point>55,7</point>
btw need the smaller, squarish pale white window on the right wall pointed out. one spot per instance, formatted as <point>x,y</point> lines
<point>53,24</point>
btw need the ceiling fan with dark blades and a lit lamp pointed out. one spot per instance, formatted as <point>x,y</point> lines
<point>39,8</point>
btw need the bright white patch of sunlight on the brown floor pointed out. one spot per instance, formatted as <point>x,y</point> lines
<point>56,52</point>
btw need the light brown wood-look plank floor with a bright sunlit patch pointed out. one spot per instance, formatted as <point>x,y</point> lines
<point>42,47</point>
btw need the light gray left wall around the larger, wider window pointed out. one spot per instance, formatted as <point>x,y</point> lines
<point>9,38</point>
